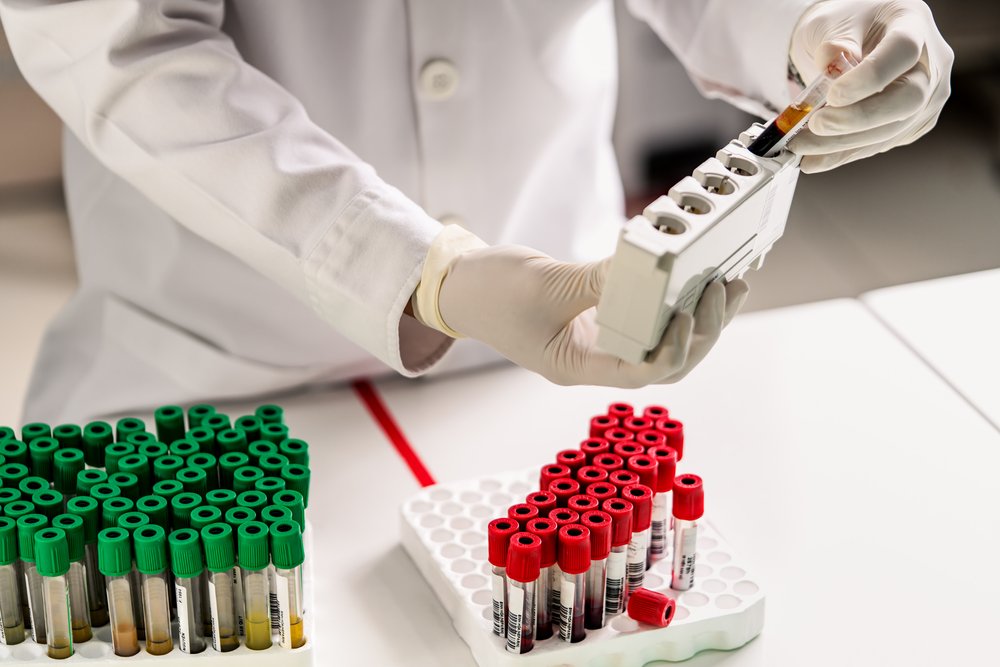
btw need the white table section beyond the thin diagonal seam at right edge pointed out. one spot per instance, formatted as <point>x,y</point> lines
<point>954,325</point>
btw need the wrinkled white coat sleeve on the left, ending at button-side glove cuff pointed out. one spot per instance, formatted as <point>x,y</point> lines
<point>162,97</point>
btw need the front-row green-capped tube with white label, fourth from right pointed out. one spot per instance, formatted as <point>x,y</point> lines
<point>188,565</point>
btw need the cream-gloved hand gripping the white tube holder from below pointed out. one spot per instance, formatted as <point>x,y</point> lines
<point>539,313</point>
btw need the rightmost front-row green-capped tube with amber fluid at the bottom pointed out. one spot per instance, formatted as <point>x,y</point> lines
<point>288,554</point>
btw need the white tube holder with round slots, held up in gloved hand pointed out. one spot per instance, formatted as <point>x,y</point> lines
<point>715,224</point>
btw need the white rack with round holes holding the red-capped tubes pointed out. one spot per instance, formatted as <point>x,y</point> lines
<point>444,531</point>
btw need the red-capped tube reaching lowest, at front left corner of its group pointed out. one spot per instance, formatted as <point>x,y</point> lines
<point>524,557</point>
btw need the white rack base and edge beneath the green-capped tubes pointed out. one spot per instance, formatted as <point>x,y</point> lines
<point>98,652</point>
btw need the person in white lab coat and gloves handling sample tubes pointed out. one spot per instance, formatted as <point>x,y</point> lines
<point>271,193</point>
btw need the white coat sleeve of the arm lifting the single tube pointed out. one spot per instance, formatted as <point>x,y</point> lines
<point>736,50</point>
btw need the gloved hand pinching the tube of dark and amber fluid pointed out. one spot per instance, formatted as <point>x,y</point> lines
<point>892,98</point>
